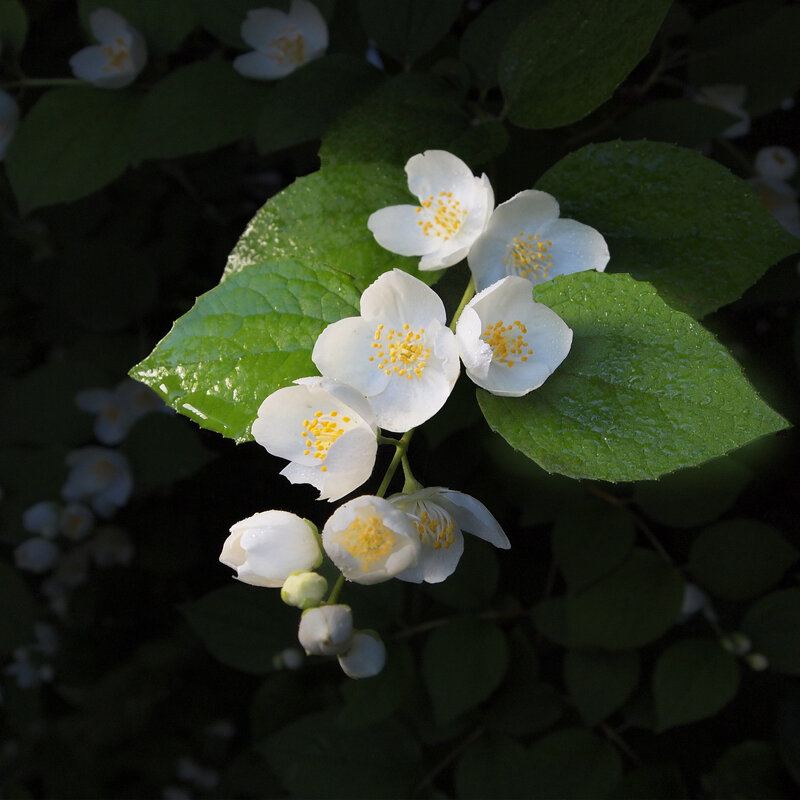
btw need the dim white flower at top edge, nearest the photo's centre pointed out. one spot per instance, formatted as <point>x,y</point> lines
<point>281,42</point>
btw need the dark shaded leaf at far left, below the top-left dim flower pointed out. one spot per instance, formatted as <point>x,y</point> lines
<point>70,144</point>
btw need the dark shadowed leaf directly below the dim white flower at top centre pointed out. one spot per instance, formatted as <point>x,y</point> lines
<point>302,106</point>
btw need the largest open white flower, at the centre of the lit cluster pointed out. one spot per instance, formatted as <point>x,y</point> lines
<point>399,353</point>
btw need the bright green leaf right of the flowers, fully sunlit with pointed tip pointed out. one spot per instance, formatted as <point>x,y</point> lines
<point>645,389</point>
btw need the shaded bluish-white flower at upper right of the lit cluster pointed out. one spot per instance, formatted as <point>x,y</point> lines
<point>526,237</point>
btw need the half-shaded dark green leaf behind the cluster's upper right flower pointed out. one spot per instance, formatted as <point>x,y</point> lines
<point>673,218</point>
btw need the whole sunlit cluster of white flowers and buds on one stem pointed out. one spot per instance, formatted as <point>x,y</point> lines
<point>392,368</point>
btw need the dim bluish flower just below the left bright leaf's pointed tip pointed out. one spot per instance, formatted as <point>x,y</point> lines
<point>118,408</point>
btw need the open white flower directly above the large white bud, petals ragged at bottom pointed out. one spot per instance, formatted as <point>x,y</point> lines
<point>326,429</point>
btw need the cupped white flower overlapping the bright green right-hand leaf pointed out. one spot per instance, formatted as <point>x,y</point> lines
<point>510,344</point>
